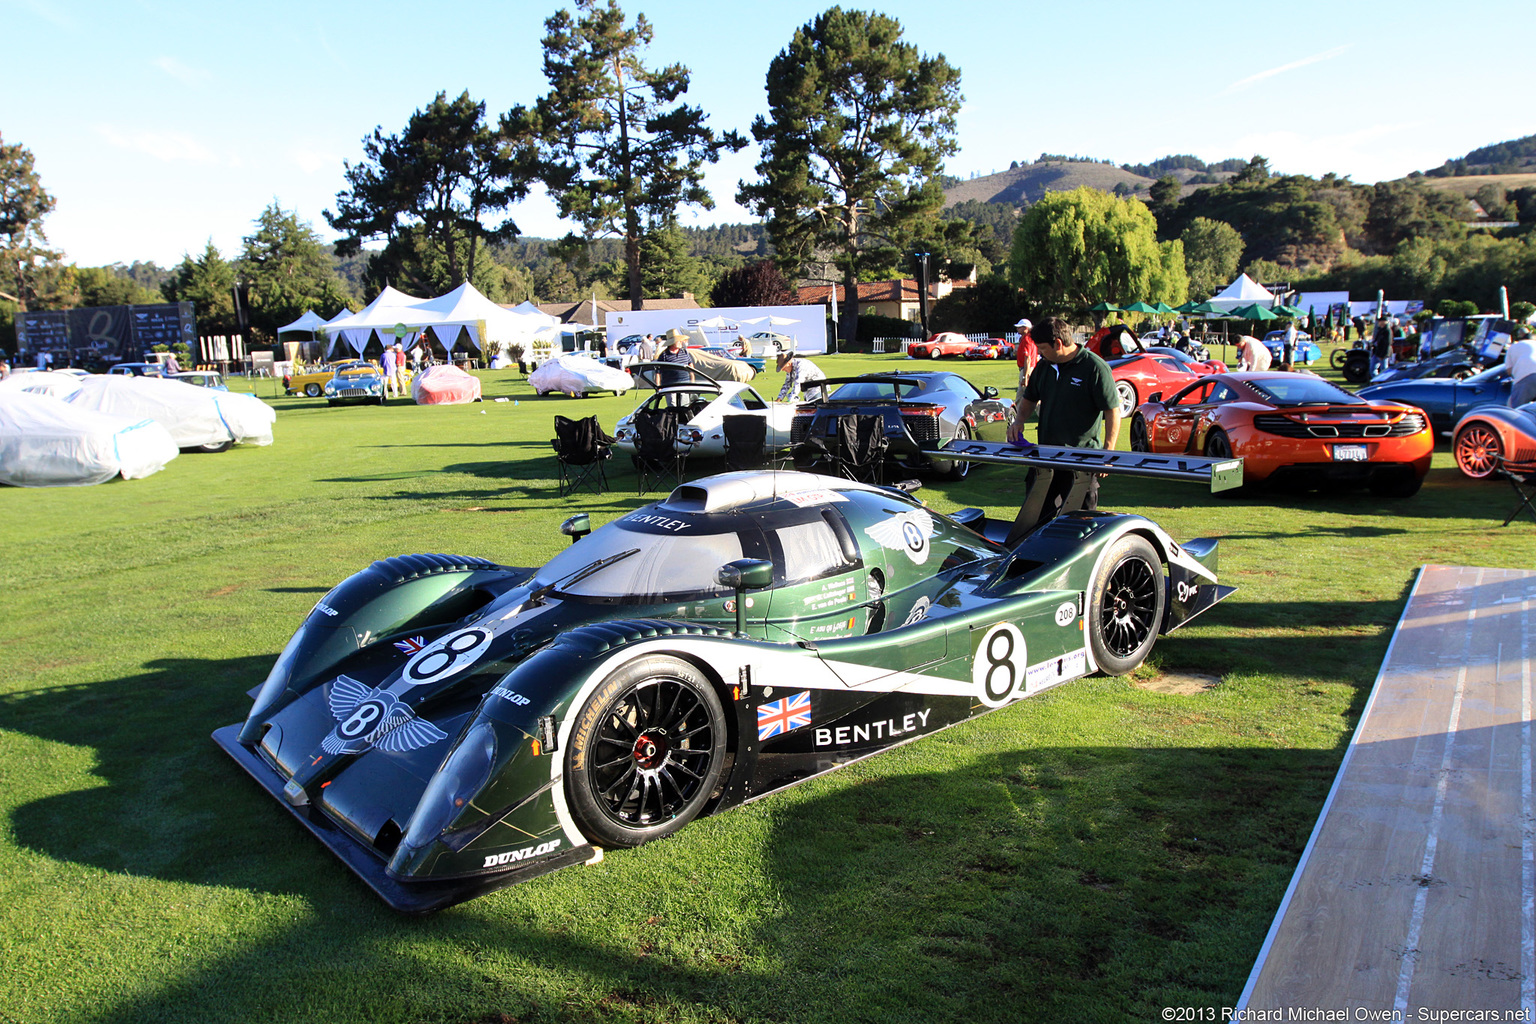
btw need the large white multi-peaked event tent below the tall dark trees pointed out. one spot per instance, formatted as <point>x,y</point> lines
<point>463,317</point>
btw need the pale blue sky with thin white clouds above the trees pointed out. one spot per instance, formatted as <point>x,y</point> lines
<point>159,125</point>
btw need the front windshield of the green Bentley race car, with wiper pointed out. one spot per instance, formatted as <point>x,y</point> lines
<point>663,567</point>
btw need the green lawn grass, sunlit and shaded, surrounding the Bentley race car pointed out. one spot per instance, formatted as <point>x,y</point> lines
<point>1091,854</point>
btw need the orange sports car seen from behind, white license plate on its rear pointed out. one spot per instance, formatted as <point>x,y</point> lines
<point>1291,426</point>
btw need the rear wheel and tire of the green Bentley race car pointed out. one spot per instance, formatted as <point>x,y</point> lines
<point>1125,607</point>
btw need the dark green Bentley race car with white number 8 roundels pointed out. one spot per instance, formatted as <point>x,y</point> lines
<point>448,725</point>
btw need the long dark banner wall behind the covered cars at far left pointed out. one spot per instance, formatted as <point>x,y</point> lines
<point>99,335</point>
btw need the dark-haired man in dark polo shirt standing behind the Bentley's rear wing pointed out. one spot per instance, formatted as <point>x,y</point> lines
<point>1079,409</point>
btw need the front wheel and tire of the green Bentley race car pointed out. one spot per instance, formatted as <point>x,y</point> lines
<point>646,753</point>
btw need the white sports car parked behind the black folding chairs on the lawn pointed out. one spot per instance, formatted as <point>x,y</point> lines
<point>704,406</point>
